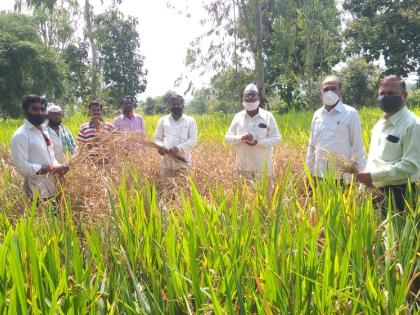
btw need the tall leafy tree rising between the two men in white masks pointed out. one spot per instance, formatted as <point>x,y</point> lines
<point>302,44</point>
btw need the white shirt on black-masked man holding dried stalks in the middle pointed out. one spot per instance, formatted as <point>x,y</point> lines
<point>181,134</point>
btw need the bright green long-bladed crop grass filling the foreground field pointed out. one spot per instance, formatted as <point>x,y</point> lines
<point>236,250</point>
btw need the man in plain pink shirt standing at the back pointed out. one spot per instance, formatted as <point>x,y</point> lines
<point>130,120</point>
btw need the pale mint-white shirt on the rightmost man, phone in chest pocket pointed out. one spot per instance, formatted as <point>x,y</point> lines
<point>394,153</point>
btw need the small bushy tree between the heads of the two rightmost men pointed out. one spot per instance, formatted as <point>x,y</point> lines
<point>359,82</point>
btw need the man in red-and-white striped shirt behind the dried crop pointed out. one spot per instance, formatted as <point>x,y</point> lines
<point>88,130</point>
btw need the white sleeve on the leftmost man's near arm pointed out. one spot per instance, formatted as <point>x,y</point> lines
<point>20,156</point>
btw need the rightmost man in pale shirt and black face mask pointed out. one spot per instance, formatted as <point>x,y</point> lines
<point>394,156</point>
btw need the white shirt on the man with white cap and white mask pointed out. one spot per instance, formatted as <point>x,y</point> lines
<point>264,127</point>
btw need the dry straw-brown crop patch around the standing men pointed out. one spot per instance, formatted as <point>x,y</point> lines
<point>99,168</point>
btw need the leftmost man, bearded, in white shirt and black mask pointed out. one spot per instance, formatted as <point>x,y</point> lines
<point>33,153</point>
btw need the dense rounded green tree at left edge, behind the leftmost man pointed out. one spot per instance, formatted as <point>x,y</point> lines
<point>26,64</point>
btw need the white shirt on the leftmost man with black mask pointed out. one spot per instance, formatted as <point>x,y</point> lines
<point>29,153</point>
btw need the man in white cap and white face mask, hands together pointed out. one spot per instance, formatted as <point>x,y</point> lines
<point>253,132</point>
